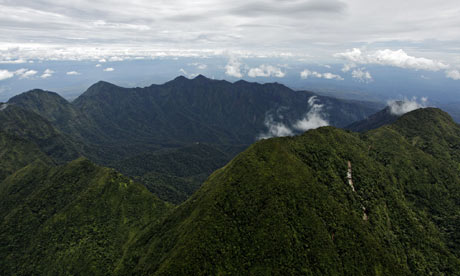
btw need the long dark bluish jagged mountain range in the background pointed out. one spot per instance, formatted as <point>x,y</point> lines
<point>182,111</point>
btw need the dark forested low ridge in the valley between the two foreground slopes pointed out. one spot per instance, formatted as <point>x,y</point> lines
<point>174,174</point>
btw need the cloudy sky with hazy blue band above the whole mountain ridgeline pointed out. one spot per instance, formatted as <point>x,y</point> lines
<point>282,39</point>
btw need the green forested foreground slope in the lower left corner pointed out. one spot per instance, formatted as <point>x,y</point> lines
<point>74,219</point>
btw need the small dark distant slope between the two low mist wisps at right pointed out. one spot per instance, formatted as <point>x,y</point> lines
<point>381,118</point>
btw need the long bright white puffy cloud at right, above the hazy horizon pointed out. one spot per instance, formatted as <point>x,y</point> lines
<point>387,57</point>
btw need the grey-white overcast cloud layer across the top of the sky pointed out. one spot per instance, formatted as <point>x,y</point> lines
<point>315,28</point>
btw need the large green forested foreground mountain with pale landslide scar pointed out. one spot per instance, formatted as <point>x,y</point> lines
<point>328,202</point>
